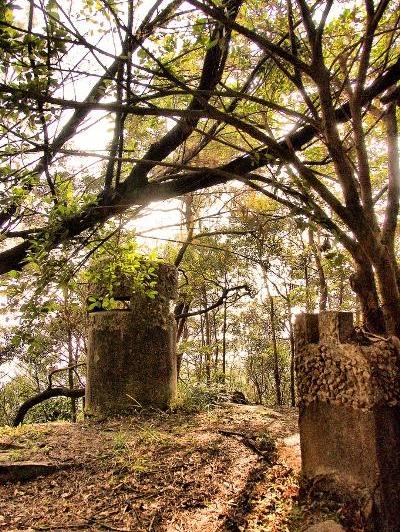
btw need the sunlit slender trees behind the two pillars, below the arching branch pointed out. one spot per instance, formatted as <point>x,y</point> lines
<point>243,281</point>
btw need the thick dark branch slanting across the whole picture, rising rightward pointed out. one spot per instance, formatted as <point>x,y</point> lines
<point>180,184</point>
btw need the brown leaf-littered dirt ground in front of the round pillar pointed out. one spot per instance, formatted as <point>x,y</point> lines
<point>206,472</point>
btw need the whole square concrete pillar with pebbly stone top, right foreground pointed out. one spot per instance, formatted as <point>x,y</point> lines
<point>349,397</point>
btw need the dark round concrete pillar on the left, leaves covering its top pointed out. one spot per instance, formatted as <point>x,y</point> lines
<point>132,353</point>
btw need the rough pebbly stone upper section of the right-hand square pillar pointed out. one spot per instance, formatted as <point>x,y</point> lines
<point>336,372</point>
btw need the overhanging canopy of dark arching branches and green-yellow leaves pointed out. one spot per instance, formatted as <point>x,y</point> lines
<point>297,100</point>
